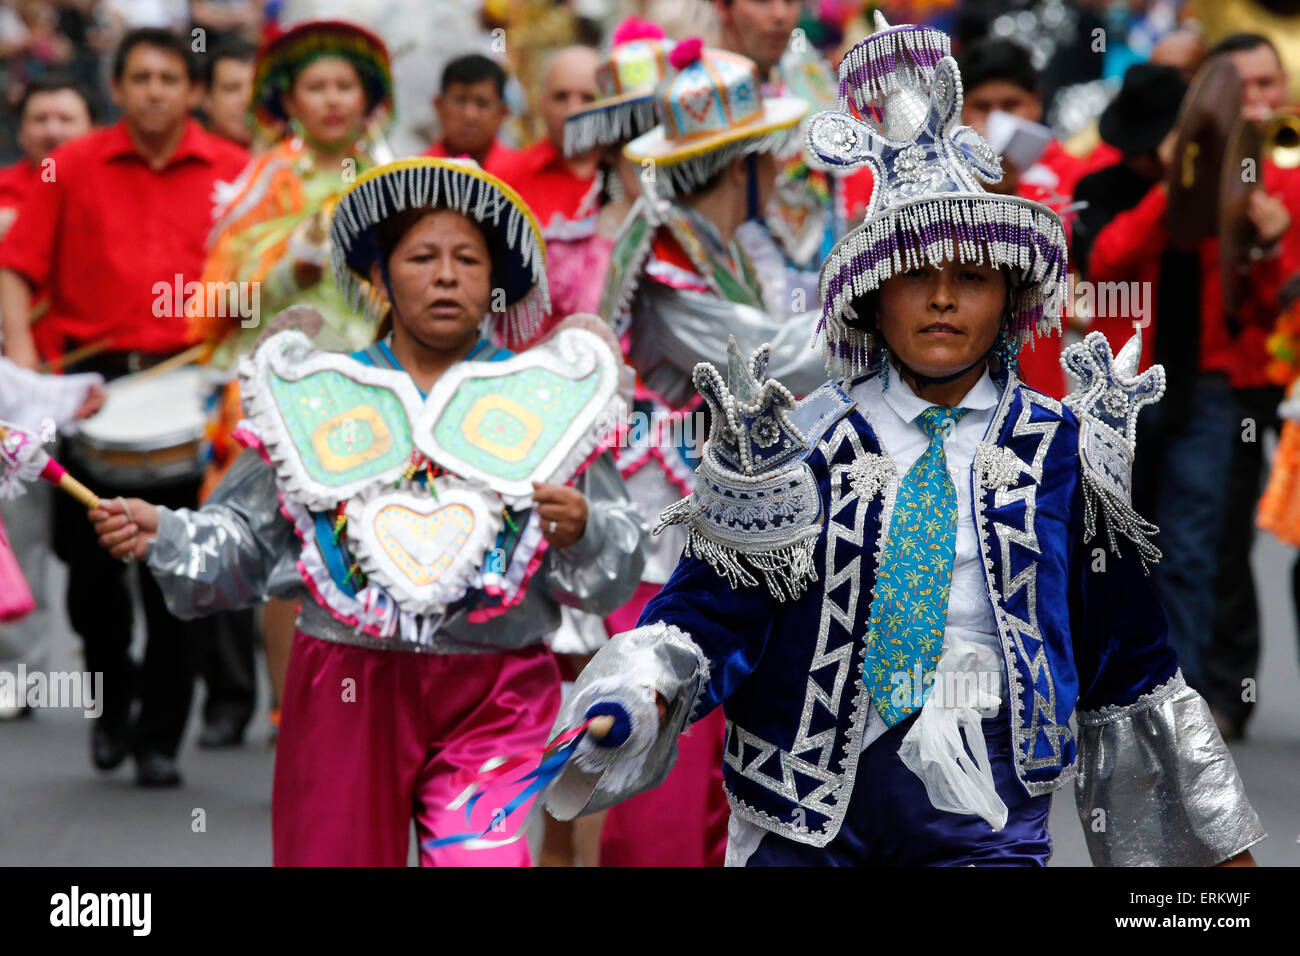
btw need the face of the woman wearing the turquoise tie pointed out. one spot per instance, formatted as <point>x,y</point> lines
<point>941,321</point>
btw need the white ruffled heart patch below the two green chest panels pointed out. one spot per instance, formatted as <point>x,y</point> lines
<point>424,550</point>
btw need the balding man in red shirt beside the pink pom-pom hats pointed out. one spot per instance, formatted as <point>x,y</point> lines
<point>560,189</point>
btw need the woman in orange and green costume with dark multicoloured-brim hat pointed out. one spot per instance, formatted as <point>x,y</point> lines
<point>323,92</point>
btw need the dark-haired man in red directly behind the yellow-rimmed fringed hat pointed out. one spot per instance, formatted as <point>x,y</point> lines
<point>471,110</point>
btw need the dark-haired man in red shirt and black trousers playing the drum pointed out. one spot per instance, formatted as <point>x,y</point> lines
<point>124,218</point>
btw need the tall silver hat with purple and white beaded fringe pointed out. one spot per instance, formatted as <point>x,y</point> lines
<point>928,204</point>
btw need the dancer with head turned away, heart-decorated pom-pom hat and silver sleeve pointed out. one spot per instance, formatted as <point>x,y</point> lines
<point>694,266</point>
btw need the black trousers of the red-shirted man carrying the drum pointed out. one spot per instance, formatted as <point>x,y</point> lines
<point>99,608</point>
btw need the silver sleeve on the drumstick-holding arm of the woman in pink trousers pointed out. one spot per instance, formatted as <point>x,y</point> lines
<point>226,555</point>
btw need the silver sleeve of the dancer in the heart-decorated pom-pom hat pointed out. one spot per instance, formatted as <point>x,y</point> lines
<point>675,330</point>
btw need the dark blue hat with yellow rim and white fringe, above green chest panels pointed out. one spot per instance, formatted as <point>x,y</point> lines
<point>515,240</point>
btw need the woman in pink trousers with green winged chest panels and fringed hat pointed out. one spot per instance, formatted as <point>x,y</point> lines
<point>432,500</point>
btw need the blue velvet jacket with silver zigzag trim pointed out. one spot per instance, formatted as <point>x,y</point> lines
<point>1081,625</point>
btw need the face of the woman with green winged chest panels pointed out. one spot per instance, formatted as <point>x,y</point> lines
<point>441,278</point>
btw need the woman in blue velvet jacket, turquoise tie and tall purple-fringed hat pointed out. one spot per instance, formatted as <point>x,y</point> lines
<point>903,589</point>
